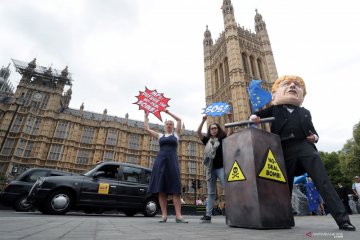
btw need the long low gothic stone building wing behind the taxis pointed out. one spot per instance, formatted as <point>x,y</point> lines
<point>38,129</point>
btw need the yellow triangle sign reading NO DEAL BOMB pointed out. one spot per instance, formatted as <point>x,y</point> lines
<point>271,169</point>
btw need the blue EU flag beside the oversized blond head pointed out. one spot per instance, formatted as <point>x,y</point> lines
<point>258,96</point>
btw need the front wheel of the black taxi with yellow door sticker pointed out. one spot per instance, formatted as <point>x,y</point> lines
<point>59,202</point>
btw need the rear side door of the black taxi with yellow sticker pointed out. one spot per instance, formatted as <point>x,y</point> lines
<point>132,189</point>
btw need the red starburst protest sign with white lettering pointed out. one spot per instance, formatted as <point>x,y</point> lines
<point>152,101</point>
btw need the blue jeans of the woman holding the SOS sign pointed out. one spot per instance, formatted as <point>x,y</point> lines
<point>211,184</point>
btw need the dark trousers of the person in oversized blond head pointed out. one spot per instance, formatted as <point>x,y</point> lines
<point>303,154</point>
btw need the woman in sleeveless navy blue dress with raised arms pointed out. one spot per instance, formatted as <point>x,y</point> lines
<point>165,177</point>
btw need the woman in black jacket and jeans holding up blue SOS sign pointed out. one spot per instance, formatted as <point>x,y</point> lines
<point>213,161</point>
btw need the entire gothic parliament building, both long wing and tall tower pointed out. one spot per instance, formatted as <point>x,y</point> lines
<point>39,129</point>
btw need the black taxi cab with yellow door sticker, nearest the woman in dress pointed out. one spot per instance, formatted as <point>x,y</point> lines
<point>107,186</point>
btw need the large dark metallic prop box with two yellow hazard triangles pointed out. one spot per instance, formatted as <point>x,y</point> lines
<point>256,185</point>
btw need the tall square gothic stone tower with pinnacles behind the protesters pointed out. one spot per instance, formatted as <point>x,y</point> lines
<point>237,57</point>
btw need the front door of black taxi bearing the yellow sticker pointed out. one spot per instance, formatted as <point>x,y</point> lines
<point>101,189</point>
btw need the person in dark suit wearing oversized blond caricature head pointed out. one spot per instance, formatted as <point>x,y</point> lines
<point>298,137</point>
